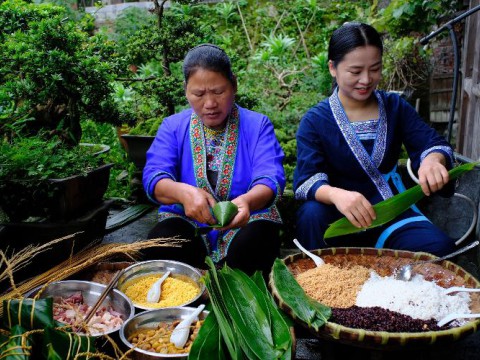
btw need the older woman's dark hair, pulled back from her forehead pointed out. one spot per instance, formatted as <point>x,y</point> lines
<point>209,57</point>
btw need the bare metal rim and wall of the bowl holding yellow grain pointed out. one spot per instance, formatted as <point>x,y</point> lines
<point>177,269</point>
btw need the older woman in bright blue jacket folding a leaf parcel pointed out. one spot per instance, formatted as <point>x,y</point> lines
<point>216,151</point>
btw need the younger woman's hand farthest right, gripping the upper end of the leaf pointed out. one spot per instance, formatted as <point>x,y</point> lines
<point>433,174</point>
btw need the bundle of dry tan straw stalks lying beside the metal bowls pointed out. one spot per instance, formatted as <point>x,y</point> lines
<point>76,262</point>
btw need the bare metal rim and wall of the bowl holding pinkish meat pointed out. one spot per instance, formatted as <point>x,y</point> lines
<point>91,292</point>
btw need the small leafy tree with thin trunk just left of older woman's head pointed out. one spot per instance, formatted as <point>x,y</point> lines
<point>155,52</point>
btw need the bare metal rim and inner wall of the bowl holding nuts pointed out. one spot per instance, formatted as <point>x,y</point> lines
<point>150,320</point>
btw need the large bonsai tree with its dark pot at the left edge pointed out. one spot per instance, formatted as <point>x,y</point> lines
<point>53,74</point>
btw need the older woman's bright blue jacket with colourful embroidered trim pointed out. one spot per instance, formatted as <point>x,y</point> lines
<point>251,156</point>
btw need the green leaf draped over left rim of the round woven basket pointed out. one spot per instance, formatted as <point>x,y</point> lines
<point>303,307</point>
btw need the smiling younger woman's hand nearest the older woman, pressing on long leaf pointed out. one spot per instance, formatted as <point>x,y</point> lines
<point>356,208</point>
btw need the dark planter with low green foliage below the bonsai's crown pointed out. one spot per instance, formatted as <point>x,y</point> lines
<point>34,174</point>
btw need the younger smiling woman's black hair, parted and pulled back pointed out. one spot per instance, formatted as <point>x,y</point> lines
<point>350,36</point>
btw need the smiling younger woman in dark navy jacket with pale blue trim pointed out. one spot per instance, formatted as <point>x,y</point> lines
<point>348,146</point>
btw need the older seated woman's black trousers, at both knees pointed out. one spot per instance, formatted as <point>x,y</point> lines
<point>254,247</point>
